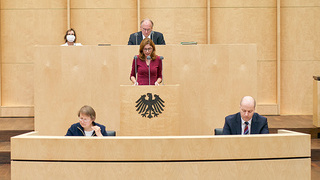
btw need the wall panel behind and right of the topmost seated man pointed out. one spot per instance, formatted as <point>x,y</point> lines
<point>178,20</point>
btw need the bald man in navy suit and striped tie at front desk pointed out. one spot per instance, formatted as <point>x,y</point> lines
<point>246,121</point>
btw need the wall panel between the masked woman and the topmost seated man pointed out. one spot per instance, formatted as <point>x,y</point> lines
<point>109,21</point>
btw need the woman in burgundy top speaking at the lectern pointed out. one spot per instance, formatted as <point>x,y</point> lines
<point>147,66</point>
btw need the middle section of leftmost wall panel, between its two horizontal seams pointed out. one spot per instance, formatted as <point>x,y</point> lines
<point>22,29</point>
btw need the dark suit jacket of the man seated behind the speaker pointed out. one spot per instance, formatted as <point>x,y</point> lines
<point>156,37</point>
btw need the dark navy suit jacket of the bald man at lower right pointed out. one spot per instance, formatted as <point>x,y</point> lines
<point>259,124</point>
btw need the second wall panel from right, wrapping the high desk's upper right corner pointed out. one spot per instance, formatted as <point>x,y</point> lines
<point>250,22</point>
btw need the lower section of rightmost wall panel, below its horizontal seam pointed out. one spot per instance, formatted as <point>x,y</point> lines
<point>297,86</point>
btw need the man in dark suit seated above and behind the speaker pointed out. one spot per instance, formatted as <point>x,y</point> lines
<point>146,27</point>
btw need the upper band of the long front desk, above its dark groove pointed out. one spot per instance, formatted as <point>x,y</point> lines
<point>160,148</point>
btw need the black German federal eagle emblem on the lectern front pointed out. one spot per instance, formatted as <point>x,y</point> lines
<point>149,107</point>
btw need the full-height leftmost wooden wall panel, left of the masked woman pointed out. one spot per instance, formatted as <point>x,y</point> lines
<point>23,25</point>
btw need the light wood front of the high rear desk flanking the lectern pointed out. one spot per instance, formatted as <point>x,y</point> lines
<point>212,80</point>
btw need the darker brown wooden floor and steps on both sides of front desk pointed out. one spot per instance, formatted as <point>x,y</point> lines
<point>14,126</point>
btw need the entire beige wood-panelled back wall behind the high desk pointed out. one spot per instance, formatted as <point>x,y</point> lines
<point>30,22</point>
